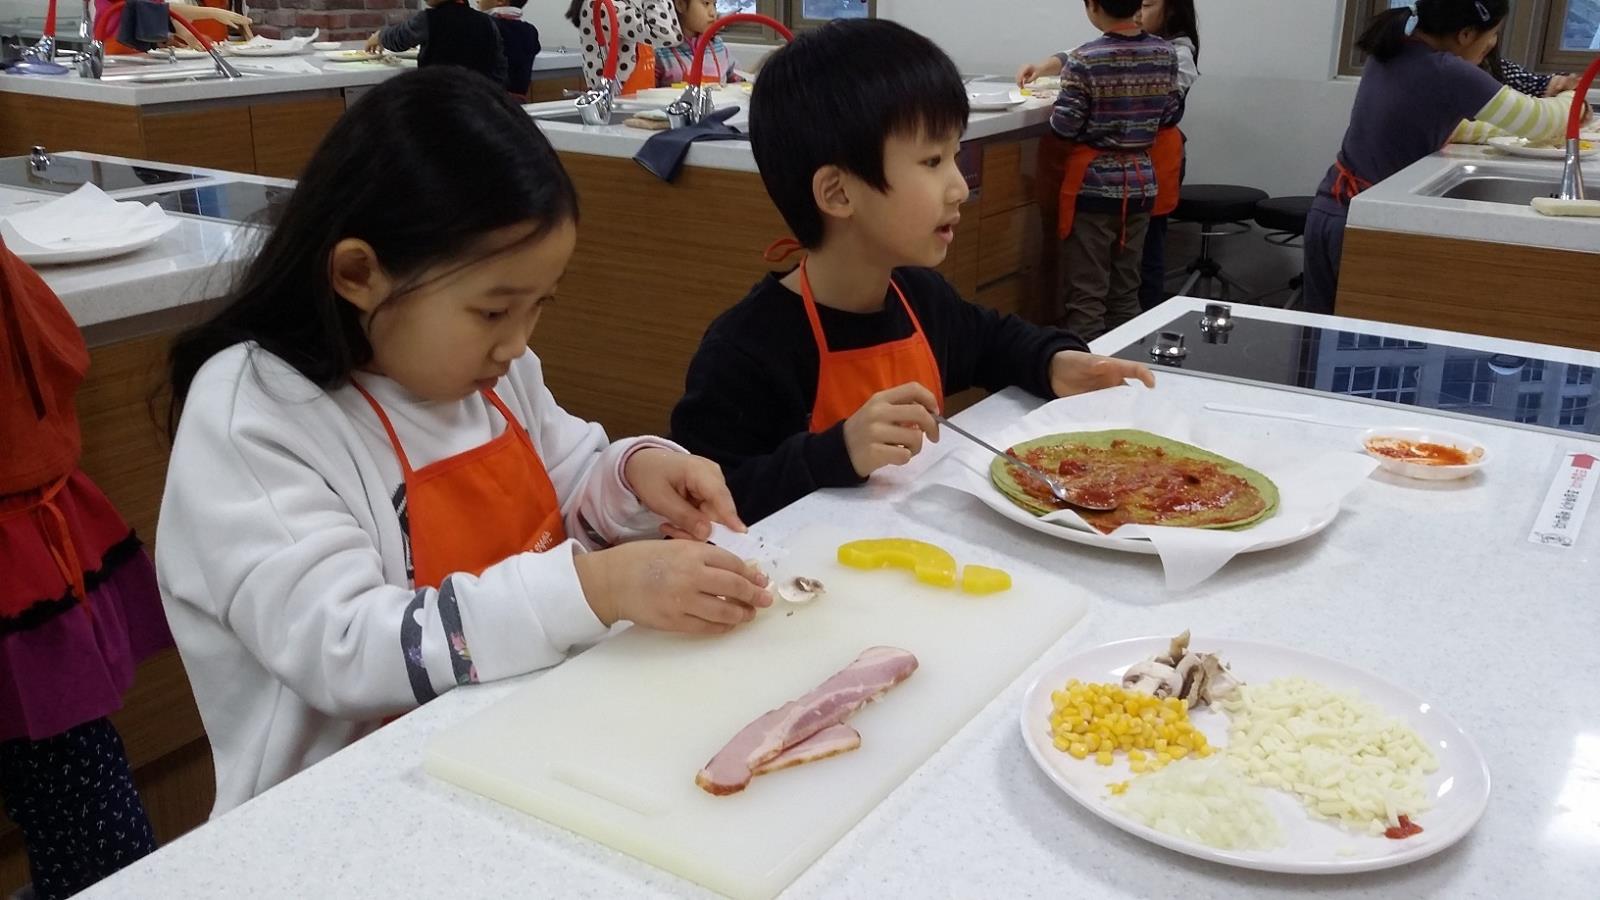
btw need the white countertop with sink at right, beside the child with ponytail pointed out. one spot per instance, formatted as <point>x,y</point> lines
<point>1394,204</point>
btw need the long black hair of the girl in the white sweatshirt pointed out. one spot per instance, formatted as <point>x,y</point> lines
<point>422,169</point>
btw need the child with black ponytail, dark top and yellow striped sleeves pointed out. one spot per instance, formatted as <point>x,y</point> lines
<point>1415,94</point>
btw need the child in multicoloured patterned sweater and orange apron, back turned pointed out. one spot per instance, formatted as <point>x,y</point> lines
<point>1116,94</point>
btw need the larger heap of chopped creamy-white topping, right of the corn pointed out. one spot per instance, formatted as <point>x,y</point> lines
<point>1345,758</point>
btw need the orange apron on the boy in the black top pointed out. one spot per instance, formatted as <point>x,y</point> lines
<point>846,380</point>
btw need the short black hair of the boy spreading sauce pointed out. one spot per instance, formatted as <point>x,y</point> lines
<point>834,97</point>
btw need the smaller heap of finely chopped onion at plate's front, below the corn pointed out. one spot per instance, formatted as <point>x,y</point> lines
<point>1202,800</point>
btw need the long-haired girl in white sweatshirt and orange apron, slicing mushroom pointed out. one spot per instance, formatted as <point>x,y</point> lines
<point>374,497</point>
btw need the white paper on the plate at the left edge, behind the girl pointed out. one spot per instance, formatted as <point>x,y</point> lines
<point>84,220</point>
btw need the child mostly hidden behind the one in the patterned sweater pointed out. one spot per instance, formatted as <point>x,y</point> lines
<point>1178,23</point>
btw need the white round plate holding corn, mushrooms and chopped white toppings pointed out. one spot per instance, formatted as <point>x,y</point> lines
<point>1460,787</point>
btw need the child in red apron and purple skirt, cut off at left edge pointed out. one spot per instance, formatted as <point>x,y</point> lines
<point>79,609</point>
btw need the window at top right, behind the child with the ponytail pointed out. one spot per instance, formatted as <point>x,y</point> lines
<point>1546,36</point>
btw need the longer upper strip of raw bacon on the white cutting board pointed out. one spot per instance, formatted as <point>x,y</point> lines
<point>764,741</point>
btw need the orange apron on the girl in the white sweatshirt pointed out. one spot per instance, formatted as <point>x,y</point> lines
<point>478,508</point>
